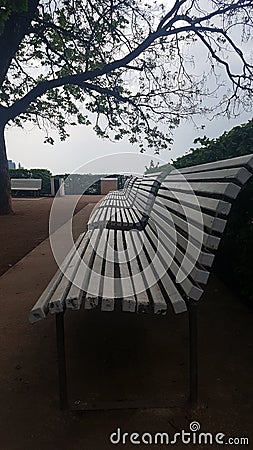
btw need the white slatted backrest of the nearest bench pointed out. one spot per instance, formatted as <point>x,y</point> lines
<point>189,216</point>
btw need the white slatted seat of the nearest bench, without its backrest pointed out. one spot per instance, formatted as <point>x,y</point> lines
<point>122,285</point>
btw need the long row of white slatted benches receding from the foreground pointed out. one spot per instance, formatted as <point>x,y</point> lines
<point>148,249</point>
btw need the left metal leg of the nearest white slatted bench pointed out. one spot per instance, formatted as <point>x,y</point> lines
<point>61,360</point>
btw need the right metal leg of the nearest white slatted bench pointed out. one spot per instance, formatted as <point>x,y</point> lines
<point>193,351</point>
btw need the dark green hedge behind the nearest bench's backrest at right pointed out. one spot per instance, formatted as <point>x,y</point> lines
<point>233,262</point>
